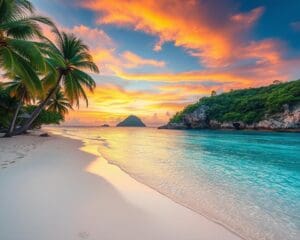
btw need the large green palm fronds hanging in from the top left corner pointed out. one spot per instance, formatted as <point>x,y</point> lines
<point>18,55</point>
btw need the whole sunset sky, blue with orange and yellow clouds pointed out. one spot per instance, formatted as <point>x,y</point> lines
<point>155,57</point>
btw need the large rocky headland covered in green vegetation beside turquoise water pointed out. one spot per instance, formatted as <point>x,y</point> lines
<point>274,107</point>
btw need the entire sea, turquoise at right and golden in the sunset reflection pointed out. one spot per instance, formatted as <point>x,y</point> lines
<point>247,181</point>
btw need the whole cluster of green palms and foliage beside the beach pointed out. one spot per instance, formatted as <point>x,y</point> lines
<point>53,75</point>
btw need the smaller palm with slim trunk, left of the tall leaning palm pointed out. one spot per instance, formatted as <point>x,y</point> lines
<point>18,90</point>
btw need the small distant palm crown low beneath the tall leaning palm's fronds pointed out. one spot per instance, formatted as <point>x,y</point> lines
<point>59,103</point>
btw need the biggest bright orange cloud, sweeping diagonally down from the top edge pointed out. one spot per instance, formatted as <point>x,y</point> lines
<point>186,23</point>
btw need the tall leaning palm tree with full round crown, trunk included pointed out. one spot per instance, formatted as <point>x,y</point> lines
<point>68,59</point>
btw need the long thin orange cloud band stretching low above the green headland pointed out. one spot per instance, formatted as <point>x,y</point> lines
<point>264,70</point>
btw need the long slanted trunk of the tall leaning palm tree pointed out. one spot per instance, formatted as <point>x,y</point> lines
<point>39,108</point>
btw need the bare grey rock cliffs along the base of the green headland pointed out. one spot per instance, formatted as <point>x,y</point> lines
<point>289,119</point>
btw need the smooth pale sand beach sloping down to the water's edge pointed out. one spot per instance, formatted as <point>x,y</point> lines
<point>58,188</point>
